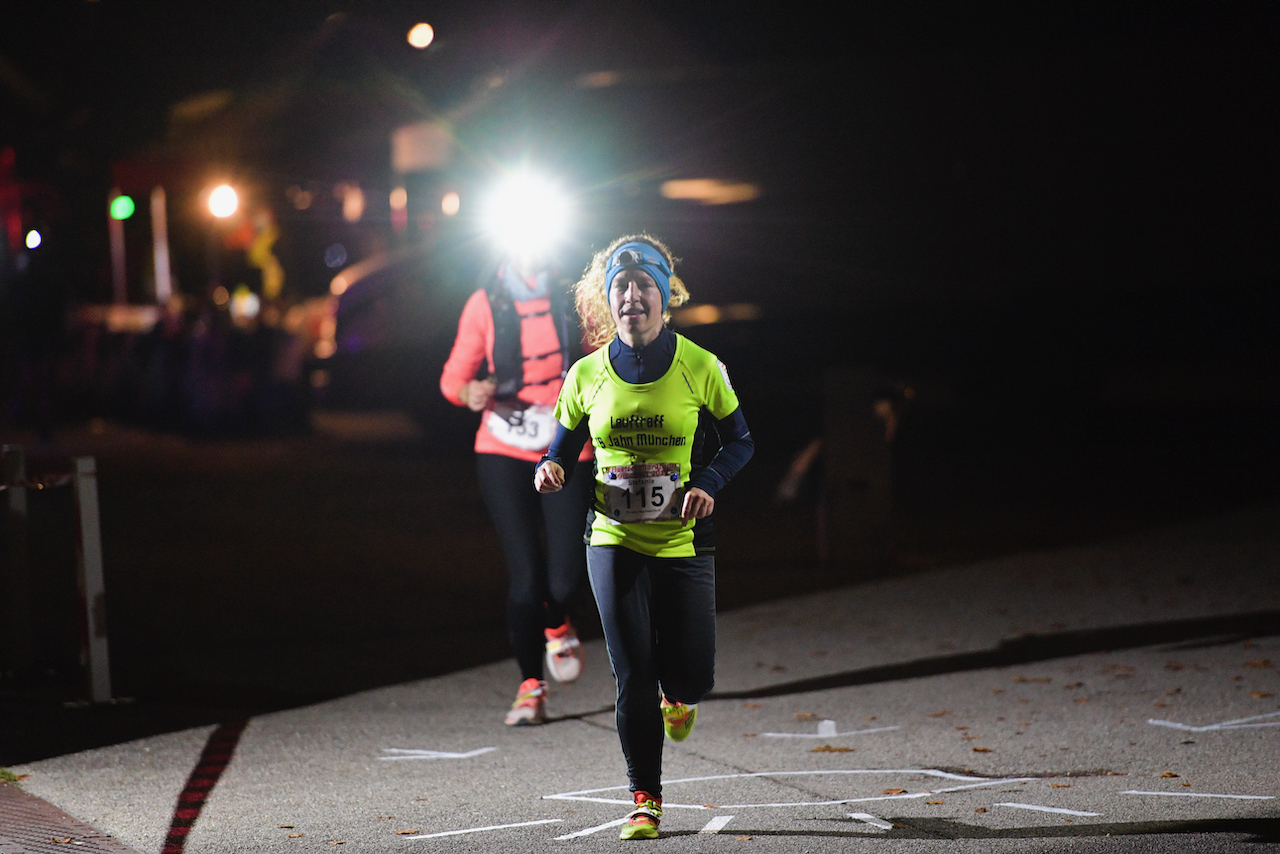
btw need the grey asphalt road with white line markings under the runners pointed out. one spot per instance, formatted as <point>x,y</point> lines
<point>1119,696</point>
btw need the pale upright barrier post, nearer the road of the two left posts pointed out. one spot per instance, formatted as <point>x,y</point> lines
<point>93,591</point>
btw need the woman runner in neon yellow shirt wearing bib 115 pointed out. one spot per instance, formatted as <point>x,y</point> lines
<point>651,561</point>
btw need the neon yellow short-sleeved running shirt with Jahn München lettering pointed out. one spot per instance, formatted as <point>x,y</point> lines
<point>643,436</point>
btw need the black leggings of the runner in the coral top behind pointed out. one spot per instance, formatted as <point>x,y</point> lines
<point>545,584</point>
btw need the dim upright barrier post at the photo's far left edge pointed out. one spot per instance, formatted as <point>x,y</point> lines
<point>17,581</point>
